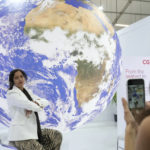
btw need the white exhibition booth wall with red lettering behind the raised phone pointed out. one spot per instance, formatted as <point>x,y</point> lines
<point>135,45</point>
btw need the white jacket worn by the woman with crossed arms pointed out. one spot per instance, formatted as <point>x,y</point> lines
<point>23,127</point>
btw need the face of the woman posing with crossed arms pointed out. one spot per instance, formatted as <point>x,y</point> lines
<point>19,80</point>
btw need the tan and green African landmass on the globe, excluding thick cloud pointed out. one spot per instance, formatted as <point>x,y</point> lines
<point>74,20</point>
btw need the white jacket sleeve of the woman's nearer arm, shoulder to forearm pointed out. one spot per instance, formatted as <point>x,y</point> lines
<point>15,99</point>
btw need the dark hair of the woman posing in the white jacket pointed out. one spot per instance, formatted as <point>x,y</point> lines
<point>11,77</point>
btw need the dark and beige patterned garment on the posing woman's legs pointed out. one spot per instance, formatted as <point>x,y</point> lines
<point>51,140</point>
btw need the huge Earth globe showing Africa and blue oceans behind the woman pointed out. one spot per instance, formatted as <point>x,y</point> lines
<point>70,52</point>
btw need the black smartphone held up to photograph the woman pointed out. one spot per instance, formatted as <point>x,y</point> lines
<point>136,93</point>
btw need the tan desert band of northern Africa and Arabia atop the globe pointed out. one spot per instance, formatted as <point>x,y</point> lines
<point>68,18</point>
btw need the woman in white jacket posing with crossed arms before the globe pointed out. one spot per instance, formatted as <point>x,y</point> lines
<point>25,131</point>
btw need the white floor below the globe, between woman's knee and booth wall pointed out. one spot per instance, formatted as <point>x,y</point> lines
<point>93,136</point>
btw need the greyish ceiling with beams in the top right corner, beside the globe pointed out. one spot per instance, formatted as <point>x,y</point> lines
<point>124,11</point>
